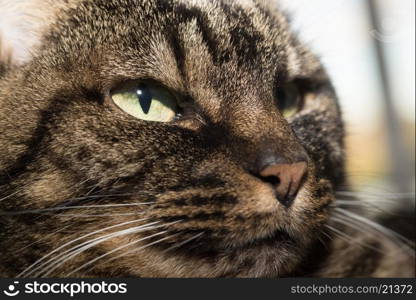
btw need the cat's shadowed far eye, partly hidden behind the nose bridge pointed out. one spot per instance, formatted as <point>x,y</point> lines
<point>289,100</point>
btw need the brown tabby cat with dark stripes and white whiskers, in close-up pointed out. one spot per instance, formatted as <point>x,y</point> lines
<point>175,138</point>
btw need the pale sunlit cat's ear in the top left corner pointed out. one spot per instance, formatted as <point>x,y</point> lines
<point>22,23</point>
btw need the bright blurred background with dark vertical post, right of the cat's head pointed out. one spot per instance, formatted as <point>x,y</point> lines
<point>368,48</point>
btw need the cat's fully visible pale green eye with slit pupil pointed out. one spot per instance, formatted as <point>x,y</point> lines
<point>146,101</point>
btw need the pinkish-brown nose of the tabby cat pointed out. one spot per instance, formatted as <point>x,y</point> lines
<point>286,178</point>
